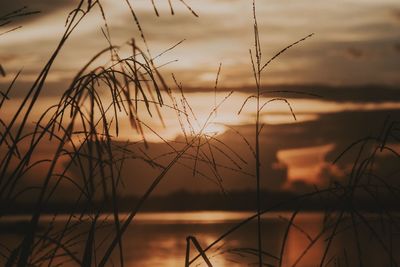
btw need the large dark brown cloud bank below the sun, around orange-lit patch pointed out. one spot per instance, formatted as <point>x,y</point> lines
<point>340,129</point>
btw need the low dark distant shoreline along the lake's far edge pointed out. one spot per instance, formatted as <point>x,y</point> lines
<point>183,201</point>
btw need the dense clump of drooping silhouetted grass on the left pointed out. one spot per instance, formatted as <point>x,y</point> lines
<point>90,142</point>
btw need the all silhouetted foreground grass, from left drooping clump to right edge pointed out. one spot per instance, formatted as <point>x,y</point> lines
<point>83,126</point>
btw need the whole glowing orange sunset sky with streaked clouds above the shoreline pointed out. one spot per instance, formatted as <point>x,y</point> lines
<point>352,61</point>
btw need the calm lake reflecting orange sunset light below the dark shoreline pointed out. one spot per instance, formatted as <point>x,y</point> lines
<point>159,239</point>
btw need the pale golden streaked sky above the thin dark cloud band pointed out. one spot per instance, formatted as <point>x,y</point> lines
<point>355,42</point>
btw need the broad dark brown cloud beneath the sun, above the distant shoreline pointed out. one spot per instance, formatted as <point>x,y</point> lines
<point>339,129</point>
